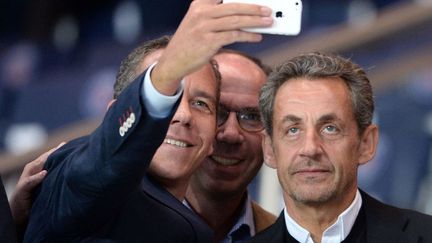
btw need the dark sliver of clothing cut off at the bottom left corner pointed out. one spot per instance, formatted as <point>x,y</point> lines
<point>7,227</point>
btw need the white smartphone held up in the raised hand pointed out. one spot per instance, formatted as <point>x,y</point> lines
<point>286,16</point>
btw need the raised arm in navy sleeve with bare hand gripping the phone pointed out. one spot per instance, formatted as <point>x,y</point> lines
<point>93,175</point>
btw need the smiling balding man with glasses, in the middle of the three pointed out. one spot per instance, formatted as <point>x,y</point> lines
<point>218,189</point>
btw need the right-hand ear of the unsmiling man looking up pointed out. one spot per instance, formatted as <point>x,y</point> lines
<point>368,144</point>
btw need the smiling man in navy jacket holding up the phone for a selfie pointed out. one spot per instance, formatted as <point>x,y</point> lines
<point>106,192</point>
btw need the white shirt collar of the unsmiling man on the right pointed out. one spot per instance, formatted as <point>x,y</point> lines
<point>337,232</point>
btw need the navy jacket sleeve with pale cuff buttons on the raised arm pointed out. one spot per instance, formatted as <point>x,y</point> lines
<point>90,178</point>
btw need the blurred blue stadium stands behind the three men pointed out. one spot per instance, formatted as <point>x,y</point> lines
<point>58,61</point>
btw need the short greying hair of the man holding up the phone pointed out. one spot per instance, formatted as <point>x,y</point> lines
<point>128,68</point>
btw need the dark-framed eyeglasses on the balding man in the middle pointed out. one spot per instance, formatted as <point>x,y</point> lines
<point>249,119</point>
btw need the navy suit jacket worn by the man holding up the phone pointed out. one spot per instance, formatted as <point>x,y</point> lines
<point>96,189</point>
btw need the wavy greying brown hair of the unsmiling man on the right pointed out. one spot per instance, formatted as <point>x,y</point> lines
<point>318,65</point>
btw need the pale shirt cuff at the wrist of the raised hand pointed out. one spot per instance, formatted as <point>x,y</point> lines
<point>158,105</point>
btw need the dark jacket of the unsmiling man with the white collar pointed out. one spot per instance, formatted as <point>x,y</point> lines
<point>384,224</point>
